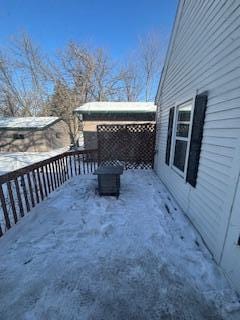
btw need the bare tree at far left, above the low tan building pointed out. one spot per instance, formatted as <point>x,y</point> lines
<point>23,82</point>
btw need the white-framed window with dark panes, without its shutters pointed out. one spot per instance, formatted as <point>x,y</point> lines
<point>182,137</point>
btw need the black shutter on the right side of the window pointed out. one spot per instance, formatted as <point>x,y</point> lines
<point>196,138</point>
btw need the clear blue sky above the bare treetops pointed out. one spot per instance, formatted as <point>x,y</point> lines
<point>112,24</point>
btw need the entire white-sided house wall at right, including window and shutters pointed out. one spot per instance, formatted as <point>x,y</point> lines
<point>198,124</point>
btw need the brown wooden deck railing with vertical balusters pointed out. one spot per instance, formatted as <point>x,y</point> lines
<point>23,189</point>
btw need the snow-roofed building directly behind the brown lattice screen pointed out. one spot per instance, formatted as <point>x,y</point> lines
<point>94,113</point>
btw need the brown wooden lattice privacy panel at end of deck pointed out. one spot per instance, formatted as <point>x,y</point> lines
<point>131,145</point>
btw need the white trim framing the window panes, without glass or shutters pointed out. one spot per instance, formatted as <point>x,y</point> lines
<point>188,139</point>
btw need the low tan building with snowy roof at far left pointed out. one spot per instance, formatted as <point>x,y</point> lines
<point>38,134</point>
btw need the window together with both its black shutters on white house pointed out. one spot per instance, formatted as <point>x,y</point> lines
<point>184,137</point>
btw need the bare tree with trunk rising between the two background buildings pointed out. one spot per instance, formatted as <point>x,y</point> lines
<point>72,76</point>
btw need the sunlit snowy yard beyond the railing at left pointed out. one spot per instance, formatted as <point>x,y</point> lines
<point>10,161</point>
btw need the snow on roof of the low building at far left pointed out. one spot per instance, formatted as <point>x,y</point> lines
<point>26,122</point>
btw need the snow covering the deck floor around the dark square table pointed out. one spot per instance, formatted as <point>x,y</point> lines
<point>81,256</point>
